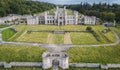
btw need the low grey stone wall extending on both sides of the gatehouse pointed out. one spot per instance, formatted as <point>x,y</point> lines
<point>39,64</point>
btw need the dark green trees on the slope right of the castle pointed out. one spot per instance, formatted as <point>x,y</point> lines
<point>104,11</point>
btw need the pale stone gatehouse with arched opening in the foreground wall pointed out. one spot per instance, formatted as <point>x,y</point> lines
<point>51,59</point>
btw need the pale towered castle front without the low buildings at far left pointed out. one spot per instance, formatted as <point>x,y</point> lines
<point>61,17</point>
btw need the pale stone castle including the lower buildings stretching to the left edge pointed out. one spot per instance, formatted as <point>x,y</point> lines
<point>60,16</point>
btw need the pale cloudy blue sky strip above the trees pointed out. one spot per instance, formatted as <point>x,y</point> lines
<point>79,1</point>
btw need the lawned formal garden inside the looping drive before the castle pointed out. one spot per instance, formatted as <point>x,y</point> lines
<point>95,37</point>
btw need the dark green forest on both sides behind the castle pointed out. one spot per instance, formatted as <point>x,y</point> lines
<point>107,12</point>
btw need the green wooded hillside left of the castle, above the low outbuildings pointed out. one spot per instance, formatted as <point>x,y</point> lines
<point>23,7</point>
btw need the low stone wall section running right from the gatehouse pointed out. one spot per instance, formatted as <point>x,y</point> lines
<point>95,65</point>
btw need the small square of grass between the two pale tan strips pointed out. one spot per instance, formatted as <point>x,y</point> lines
<point>58,38</point>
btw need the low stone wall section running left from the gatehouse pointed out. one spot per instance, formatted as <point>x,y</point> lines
<point>24,64</point>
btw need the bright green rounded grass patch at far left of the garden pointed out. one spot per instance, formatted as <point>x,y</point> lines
<point>6,34</point>
